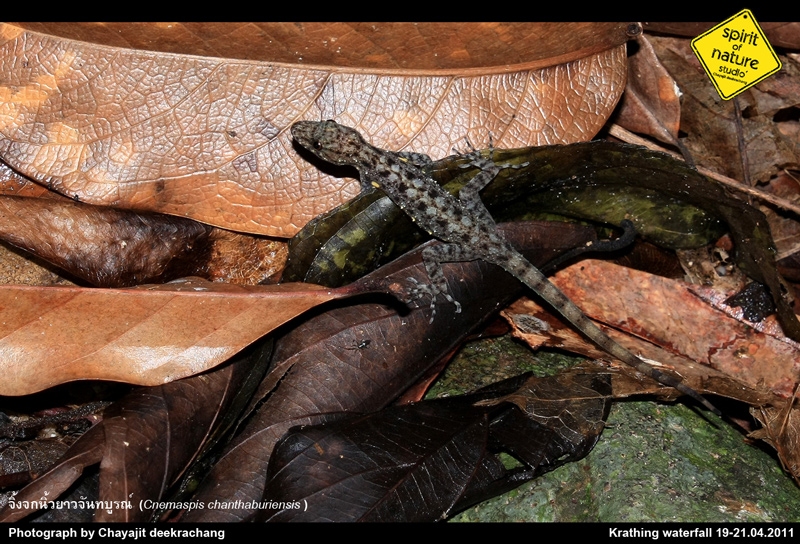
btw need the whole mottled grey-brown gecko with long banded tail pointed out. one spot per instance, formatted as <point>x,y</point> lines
<point>463,224</point>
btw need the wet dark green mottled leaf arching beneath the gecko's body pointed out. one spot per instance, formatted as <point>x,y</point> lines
<point>668,202</point>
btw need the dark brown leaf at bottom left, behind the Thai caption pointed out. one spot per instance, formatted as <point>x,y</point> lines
<point>148,438</point>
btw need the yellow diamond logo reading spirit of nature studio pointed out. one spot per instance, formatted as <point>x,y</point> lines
<point>736,54</point>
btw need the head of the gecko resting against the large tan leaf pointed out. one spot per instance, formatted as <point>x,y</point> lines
<point>329,140</point>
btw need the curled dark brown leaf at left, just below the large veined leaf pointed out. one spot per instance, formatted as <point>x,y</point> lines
<point>109,247</point>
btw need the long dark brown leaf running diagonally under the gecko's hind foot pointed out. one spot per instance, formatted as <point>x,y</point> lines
<point>323,365</point>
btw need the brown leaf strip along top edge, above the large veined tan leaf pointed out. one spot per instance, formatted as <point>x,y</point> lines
<point>376,45</point>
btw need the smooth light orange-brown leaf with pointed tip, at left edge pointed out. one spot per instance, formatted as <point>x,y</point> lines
<point>147,336</point>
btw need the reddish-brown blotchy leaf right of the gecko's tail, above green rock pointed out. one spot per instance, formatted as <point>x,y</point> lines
<point>672,318</point>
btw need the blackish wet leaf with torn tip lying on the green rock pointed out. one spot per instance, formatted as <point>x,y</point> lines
<point>423,461</point>
